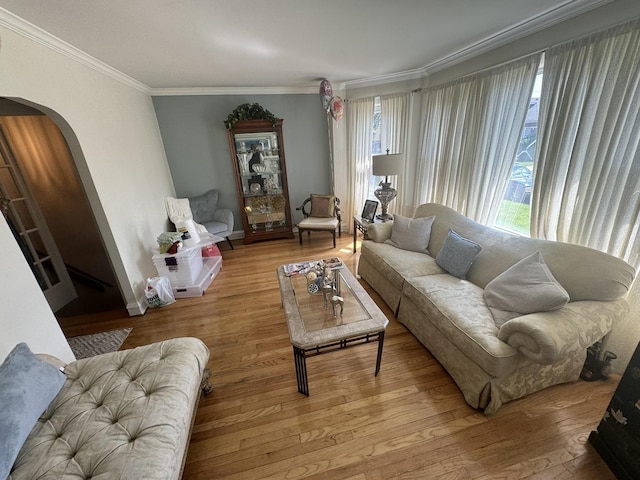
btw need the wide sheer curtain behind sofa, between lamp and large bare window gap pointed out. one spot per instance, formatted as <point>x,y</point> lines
<point>472,128</point>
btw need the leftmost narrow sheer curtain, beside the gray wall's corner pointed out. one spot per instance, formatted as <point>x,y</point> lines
<point>359,137</point>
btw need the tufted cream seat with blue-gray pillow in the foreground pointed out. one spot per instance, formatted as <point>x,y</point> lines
<point>126,414</point>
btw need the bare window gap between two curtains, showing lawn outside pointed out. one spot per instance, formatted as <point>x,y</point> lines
<point>515,210</point>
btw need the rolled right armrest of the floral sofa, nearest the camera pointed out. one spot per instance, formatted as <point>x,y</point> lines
<point>548,337</point>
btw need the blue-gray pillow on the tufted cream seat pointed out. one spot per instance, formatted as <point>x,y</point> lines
<point>27,387</point>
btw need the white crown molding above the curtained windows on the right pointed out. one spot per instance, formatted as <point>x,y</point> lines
<point>552,16</point>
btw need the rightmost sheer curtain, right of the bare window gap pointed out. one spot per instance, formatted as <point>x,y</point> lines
<point>587,174</point>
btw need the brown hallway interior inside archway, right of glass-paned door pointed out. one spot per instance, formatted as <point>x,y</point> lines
<point>43,145</point>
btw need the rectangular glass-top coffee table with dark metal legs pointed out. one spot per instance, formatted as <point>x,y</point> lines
<point>319,322</point>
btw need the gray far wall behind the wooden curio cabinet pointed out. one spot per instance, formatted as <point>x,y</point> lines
<point>197,148</point>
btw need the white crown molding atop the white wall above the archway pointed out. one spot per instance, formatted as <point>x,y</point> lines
<point>38,35</point>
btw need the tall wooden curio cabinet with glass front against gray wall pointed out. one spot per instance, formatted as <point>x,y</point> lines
<point>257,154</point>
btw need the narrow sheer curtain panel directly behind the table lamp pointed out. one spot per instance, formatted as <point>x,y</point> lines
<point>394,134</point>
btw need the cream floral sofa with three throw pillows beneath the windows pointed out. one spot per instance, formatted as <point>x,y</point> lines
<point>505,315</point>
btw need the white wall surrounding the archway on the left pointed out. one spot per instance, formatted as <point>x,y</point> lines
<point>113,134</point>
